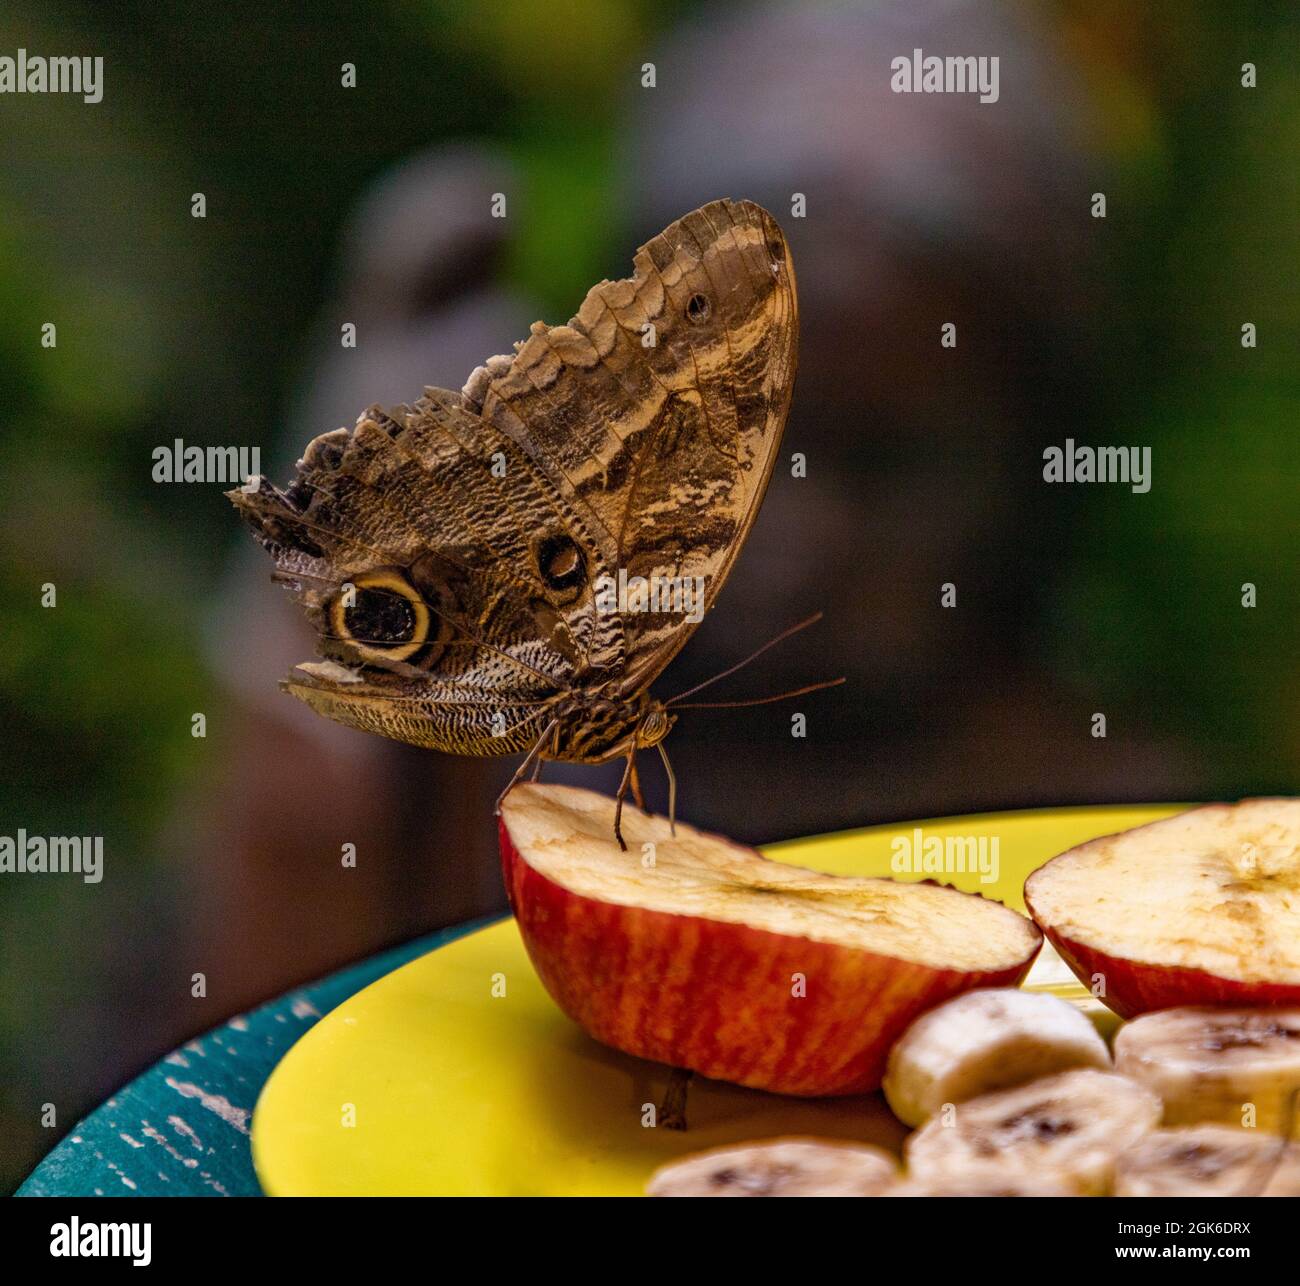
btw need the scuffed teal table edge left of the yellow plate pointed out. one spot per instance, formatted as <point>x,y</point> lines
<point>183,1128</point>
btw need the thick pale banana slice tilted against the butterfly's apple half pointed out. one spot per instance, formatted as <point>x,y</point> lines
<point>986,1041</point>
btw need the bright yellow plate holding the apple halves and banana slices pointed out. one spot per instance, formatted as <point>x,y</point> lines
<point>458,1076</point>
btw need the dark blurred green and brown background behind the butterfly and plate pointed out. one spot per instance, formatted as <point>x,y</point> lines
<point>371,205</point>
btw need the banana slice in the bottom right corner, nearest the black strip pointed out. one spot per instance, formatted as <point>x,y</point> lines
<point>1210,1161</point>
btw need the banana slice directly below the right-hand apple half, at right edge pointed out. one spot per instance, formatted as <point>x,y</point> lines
<point>1225,1066</point>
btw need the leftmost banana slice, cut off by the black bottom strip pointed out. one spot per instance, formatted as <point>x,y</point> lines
<point>779,1168</point>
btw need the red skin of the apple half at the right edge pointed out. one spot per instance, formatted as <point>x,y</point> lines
<point>1137,988</point>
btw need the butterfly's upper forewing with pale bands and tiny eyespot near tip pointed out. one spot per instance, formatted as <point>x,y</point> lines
<point>658,410</point>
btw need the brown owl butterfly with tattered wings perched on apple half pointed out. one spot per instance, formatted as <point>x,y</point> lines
<point>463,558</point>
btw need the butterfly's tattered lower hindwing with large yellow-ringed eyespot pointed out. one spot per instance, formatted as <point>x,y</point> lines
<point>471,601</point>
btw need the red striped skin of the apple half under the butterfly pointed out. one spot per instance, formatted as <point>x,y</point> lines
<point>717,998</point>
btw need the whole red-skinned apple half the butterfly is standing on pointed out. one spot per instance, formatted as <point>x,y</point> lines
<point>697,952</point>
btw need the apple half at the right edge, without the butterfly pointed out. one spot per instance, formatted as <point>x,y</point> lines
<point>1198,910</point>
